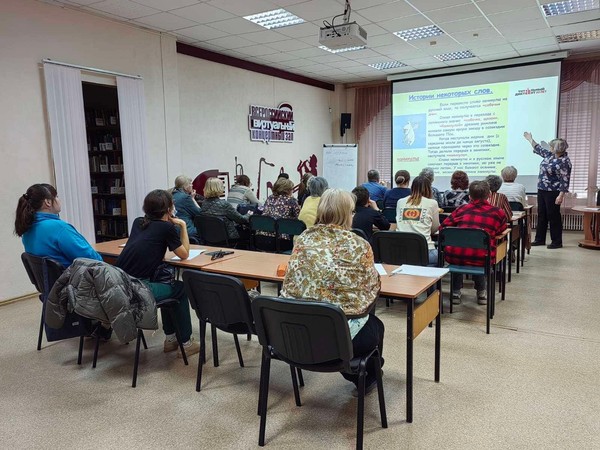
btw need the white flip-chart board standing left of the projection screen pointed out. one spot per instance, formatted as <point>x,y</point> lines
<point>340,165</point>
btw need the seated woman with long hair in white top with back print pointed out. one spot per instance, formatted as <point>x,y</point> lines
<point>419,213</point>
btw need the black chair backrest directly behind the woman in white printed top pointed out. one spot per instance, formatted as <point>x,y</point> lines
<point>395,247</point>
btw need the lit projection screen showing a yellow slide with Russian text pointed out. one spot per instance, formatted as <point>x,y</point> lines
<point>475,122</point>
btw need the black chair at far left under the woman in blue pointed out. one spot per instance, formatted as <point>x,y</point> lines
<point>43,273</point>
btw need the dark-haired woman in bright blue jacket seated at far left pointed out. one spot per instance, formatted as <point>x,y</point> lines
<point>43,232</point>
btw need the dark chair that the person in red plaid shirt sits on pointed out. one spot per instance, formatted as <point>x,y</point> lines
<point>474,238</point>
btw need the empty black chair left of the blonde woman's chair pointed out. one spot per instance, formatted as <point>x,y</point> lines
<point>223,302</point>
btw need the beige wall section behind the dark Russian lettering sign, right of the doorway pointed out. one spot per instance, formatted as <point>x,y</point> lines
<point>214,120</point>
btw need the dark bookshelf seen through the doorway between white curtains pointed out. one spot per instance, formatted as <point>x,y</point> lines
<point>105,156</point>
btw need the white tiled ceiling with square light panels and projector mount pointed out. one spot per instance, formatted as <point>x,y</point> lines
<point>490,29</point>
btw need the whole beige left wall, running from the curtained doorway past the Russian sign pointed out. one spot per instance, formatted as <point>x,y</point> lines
<point>198,125</point>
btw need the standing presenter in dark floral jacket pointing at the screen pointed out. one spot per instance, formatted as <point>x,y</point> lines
<point>553,184</point>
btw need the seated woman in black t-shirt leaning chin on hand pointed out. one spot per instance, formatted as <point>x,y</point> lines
<point>148,241</point>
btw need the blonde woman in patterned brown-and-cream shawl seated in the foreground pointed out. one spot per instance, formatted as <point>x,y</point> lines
<point>331,264</point>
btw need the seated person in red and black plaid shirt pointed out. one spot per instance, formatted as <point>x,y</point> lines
<point>478,213</point>
